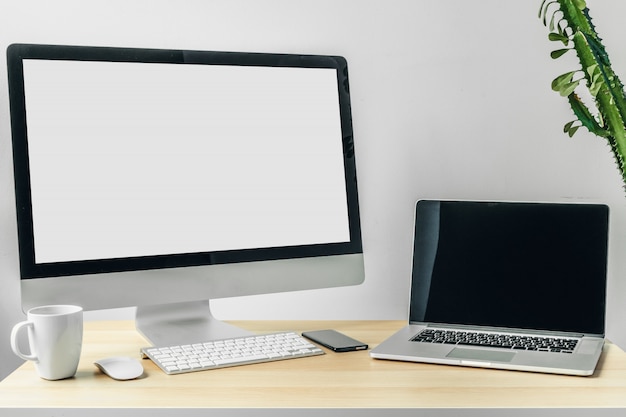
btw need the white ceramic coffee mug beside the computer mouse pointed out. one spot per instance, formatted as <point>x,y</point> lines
<point>55,337</point>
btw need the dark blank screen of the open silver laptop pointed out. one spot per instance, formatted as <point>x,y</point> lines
<point>514,265</point>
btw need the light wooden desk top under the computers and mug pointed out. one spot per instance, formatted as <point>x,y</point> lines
<point>334,381</point>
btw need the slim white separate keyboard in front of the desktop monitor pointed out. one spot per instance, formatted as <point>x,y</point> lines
<point>230,352</point>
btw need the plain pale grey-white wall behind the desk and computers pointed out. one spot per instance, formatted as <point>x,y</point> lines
<point>450,99</point>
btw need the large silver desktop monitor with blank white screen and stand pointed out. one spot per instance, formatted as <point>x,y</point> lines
<point>164,178</point>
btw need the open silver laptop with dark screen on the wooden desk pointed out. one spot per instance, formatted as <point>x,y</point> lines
<point>506,285</point>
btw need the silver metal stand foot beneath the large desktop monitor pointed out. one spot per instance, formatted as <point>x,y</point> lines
<point>182,323</point>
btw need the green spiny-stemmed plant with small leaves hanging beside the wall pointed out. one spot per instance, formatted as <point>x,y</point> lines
<point>569,22</point>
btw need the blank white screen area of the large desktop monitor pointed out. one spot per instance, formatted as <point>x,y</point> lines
<point>137,159</point>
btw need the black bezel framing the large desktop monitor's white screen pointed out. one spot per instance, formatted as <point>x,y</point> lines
<point>29,269</point>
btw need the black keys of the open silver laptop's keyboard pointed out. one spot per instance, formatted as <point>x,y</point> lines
<point>497,340</point>
